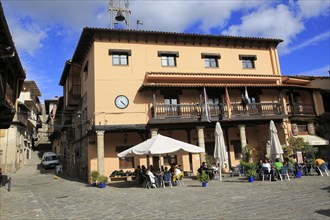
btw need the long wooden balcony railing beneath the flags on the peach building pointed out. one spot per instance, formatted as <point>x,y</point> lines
<point>164,113</point>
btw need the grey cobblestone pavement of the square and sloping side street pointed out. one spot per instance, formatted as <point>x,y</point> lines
<point>37,194</point>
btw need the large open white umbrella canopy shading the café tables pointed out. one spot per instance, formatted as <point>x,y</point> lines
<point>159,145</point>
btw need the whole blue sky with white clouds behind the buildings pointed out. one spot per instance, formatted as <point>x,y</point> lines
<point>46,32</point>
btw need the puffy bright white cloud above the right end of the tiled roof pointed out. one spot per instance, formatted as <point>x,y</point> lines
<point>277,22</point>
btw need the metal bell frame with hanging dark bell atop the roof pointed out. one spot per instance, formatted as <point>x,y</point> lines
<point>119,12</point>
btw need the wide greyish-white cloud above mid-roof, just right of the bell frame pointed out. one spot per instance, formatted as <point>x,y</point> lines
<point>179,15</point>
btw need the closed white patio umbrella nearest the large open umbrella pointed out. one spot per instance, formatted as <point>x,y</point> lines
<point>220,152</point>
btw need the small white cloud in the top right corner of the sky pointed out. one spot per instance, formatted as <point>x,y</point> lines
<point>313,8</point>
